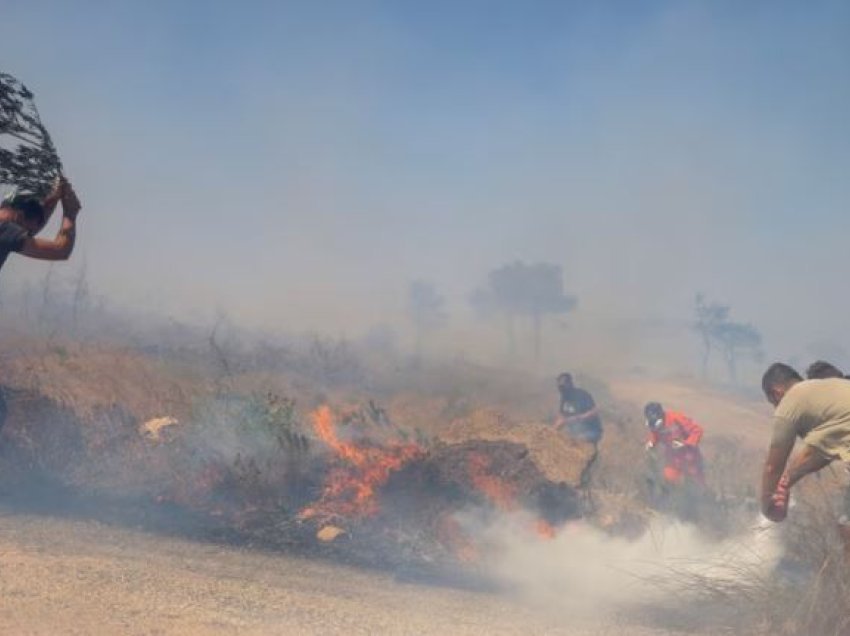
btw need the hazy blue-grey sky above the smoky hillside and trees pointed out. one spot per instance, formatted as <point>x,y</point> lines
<point>297,163</point>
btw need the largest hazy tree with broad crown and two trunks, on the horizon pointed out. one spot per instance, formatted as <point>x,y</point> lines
<point>517,289</point>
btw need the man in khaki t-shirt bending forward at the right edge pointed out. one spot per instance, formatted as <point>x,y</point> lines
<point>816,411</point>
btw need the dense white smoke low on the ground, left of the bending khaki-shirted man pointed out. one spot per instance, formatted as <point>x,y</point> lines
<point>583,572</point>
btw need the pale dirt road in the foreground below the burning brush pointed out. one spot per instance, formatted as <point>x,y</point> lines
<point>62,576</point>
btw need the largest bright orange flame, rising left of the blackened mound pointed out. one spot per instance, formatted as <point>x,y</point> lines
<point>350,489</point>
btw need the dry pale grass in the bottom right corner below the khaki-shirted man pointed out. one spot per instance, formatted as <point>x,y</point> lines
<point>807,593</point>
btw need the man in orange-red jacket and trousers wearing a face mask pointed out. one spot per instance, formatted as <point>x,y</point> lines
<point>679,436</point>
